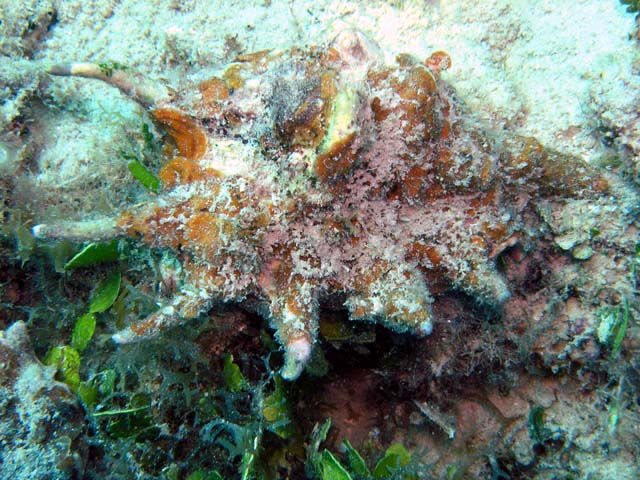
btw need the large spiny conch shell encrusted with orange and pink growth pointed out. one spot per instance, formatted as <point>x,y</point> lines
<point>318,175</point>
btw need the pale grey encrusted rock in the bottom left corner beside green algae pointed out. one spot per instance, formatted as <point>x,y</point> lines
<point>40,418</point>
